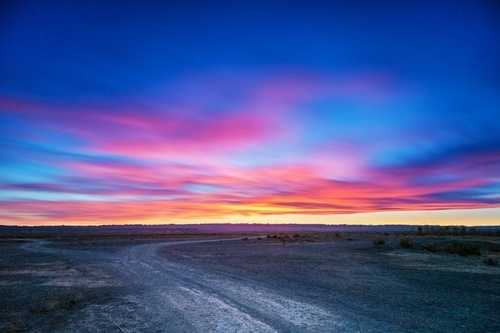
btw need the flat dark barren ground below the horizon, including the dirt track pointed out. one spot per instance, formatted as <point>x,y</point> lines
<point>234,283</point>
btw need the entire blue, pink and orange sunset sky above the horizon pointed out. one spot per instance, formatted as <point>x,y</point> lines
<point>274,112</point>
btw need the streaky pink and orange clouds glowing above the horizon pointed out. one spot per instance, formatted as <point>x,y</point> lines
<point>147,151</point>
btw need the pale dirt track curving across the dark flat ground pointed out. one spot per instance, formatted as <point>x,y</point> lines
<point>169,297</point>
